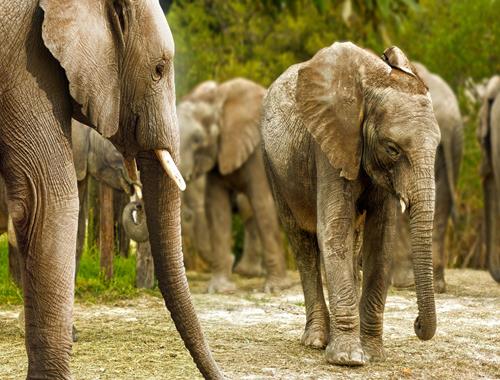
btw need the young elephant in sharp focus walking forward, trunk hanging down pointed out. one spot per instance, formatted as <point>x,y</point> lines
<point>346,133</point>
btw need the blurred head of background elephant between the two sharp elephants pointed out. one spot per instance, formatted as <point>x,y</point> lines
<point>219,126</point>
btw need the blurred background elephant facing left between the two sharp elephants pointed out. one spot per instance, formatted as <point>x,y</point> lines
<point>220,135</point>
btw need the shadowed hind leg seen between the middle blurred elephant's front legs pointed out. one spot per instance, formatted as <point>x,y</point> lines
<point>250,263</point>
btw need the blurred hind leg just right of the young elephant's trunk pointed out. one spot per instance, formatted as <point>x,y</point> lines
<point>441,215</point>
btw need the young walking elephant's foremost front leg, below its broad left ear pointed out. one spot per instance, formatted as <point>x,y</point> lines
<point>335,213</point>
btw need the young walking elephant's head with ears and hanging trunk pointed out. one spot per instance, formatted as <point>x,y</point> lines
<point>374,117</point>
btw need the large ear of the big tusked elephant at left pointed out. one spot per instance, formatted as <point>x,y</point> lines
<point>86,37</point>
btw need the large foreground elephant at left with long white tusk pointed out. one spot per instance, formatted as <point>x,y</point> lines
<point>109,64</point>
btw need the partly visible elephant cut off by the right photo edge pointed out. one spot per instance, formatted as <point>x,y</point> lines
<point>489,138</point>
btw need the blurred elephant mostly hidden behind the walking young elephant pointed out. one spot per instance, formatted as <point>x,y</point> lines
<point>448,158</point>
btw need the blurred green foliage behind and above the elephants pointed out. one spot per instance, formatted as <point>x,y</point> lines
<point>260,39</point>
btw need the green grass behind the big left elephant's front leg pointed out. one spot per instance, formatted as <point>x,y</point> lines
<point>91,286</point>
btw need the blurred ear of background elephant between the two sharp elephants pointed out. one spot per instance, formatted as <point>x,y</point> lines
<point>240,105</point>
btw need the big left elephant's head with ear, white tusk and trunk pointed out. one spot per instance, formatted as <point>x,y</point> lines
<point>118,56</point>
